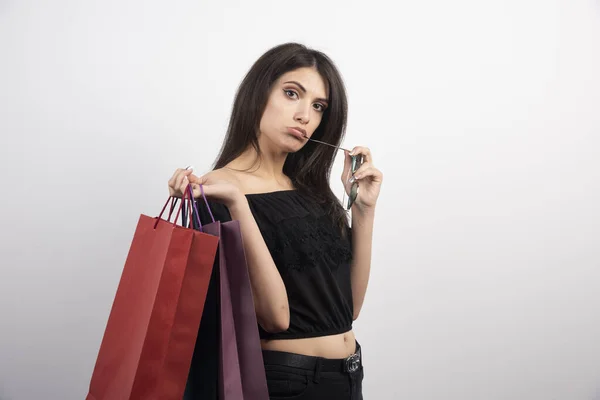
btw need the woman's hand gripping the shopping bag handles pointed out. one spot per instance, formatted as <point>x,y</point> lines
<point>214,184</point>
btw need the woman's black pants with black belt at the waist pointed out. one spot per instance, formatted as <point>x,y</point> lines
<point>300,377</point>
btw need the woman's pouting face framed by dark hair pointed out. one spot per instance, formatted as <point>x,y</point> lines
<point>295,106</point>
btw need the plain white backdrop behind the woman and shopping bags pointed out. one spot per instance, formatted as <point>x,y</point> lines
<point>483,116</point>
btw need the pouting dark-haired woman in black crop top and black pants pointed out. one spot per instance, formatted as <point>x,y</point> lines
<point>308,268</point>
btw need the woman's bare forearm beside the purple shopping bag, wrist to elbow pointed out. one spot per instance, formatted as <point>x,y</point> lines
<point>270,296</point>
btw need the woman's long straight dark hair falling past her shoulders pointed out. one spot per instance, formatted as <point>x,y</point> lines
<point>310,168</point>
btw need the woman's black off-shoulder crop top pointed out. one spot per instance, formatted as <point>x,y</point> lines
<point>311,255</point>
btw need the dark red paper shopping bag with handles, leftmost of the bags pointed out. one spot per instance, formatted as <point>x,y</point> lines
<point>150,335</point>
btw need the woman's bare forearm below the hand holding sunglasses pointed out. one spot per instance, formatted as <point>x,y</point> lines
<point>362,239</point>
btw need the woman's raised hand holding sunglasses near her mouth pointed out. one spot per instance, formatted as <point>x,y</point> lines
<point>369,178</point>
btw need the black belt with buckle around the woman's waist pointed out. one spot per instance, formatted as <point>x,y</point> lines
<point>347,365</point>
